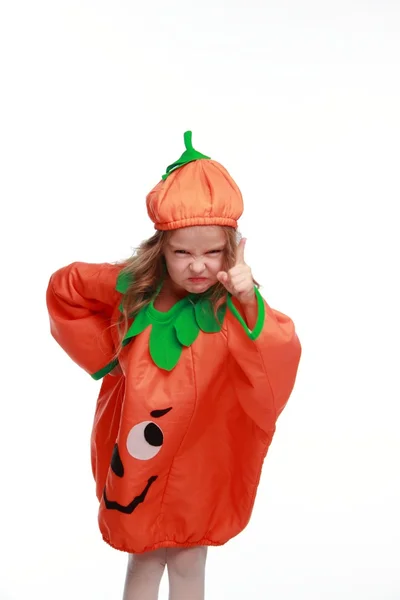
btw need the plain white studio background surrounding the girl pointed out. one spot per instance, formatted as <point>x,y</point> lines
<point>300,101</point>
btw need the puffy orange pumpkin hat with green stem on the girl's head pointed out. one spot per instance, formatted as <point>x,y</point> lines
<point>195,190</point>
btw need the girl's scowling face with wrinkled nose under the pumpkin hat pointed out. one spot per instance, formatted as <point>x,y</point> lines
<point>194,256</point>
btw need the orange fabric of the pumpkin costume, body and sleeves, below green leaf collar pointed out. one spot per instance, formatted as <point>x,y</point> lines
<point>217,412</point>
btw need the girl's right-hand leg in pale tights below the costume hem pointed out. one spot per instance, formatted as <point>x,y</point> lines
<point>186,572</point>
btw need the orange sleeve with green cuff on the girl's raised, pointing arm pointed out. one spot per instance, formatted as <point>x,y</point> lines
<point>264,362</point>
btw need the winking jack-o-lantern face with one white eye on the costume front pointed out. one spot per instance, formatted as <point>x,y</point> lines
<point>144,442</point>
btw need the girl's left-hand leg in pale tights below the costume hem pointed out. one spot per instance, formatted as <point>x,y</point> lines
<point>144,575</point>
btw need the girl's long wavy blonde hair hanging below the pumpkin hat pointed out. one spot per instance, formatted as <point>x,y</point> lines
<point>147,267</point>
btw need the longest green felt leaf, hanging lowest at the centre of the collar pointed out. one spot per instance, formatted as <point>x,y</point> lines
<point>165,348</point>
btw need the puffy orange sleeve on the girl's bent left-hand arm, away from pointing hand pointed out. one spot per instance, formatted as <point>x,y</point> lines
<point>81,299</point>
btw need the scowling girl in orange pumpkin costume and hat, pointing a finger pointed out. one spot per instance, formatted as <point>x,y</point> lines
<point>191,394</point>
